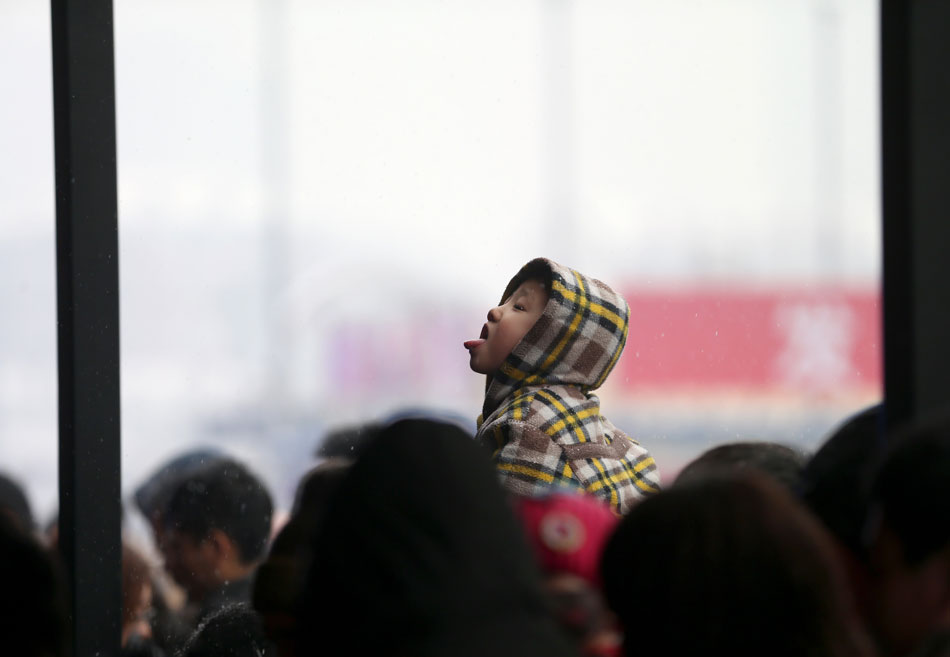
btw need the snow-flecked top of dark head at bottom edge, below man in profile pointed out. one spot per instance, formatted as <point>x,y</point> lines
<point>232,631</point>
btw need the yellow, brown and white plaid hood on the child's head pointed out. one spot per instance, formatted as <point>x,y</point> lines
<point>576,341</point>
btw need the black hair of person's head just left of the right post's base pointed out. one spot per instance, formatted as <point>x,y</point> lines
<point>836,480</point>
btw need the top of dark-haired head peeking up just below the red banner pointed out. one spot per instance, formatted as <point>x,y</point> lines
<point>781,462</point>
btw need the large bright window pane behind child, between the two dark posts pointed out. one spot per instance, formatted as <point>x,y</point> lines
<point>319,201</point>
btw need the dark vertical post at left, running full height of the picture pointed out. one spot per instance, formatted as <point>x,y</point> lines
<point>87,281</point>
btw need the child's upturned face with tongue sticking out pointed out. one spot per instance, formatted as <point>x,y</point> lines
<point>506,325</point>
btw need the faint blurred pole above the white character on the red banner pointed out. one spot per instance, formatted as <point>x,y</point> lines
<point>829,208</point>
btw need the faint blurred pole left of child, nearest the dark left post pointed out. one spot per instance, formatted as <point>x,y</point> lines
<point>275,179</point>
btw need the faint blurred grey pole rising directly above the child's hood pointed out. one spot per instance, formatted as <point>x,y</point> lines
<point>558,120</point>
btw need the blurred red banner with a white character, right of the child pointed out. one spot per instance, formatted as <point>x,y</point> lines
<point>822,341</point>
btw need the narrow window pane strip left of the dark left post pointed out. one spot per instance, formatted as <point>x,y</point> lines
<point>28,408</point>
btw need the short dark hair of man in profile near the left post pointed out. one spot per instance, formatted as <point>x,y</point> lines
<point>228,497</point>
